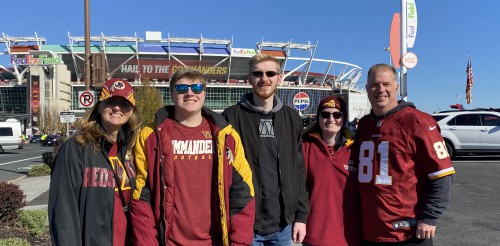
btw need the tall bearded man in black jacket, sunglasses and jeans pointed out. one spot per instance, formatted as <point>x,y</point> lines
<point>271,135</point>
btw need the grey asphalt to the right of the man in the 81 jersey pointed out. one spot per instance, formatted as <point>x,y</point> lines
<point>473,216</point>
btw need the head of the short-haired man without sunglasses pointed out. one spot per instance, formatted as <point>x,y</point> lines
<point>382,91</point>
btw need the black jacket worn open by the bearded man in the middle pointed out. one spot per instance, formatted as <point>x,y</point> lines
<point>245,117</point>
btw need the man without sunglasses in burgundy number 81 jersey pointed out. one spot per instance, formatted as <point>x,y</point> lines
<point>404,169</point>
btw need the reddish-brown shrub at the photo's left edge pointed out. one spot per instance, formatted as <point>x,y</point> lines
<point>12,199</point>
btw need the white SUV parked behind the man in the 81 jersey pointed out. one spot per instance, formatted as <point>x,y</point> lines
<point>470,131</point>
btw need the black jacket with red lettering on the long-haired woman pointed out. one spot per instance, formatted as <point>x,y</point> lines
<point>82,193</point>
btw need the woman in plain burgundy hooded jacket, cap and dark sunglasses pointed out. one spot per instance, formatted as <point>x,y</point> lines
<point>331,178</point>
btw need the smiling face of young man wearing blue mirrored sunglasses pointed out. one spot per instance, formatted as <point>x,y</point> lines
<point>188,103</point>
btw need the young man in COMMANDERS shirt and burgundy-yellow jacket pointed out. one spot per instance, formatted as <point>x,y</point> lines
<point>194,185</point>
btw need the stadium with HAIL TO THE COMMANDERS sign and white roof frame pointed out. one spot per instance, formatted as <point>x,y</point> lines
<point>155,58</point>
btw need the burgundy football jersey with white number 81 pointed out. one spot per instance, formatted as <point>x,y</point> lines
<point>398,154</point>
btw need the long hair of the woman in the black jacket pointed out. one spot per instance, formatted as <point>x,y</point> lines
<point>92,132</point>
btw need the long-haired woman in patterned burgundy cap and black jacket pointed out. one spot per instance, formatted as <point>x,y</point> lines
<point>94,173</point>
